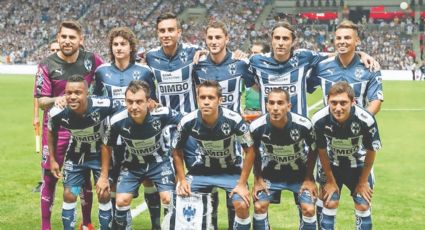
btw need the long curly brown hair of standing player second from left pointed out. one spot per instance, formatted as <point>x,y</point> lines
<point>128,35</point>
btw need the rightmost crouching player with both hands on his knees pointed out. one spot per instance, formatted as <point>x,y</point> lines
<point>343,131</point>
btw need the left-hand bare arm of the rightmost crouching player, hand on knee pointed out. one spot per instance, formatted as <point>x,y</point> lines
<point>330,187</point>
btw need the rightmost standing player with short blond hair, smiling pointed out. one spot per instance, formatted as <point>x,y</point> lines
<point>346,66</point>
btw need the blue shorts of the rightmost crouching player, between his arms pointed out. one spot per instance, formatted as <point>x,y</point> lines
<point>350,178</point>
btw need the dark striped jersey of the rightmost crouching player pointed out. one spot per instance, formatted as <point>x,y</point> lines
<point>344,143</point>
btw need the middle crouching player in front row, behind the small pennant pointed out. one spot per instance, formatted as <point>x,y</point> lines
<point>219,132</point>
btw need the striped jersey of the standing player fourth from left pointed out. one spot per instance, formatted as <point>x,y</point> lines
<point>230,74</point>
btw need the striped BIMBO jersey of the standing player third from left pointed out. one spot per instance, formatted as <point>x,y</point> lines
<point>175,88</point>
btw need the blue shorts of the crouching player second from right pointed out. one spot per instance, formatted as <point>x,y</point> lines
<point>277,187</point>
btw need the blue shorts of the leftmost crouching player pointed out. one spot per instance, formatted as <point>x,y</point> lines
<point>75,175</point>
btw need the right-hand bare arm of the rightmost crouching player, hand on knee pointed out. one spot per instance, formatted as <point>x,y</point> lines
<point>363,187</point>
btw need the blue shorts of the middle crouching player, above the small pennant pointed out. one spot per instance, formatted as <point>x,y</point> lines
<point>205,184</point>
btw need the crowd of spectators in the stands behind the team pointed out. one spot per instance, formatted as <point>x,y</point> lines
<point>25,35</point>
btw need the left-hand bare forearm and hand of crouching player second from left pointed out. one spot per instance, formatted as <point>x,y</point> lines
<point>102,185</point>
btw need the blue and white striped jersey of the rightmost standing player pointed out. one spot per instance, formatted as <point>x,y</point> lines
<point>367,85</point>
